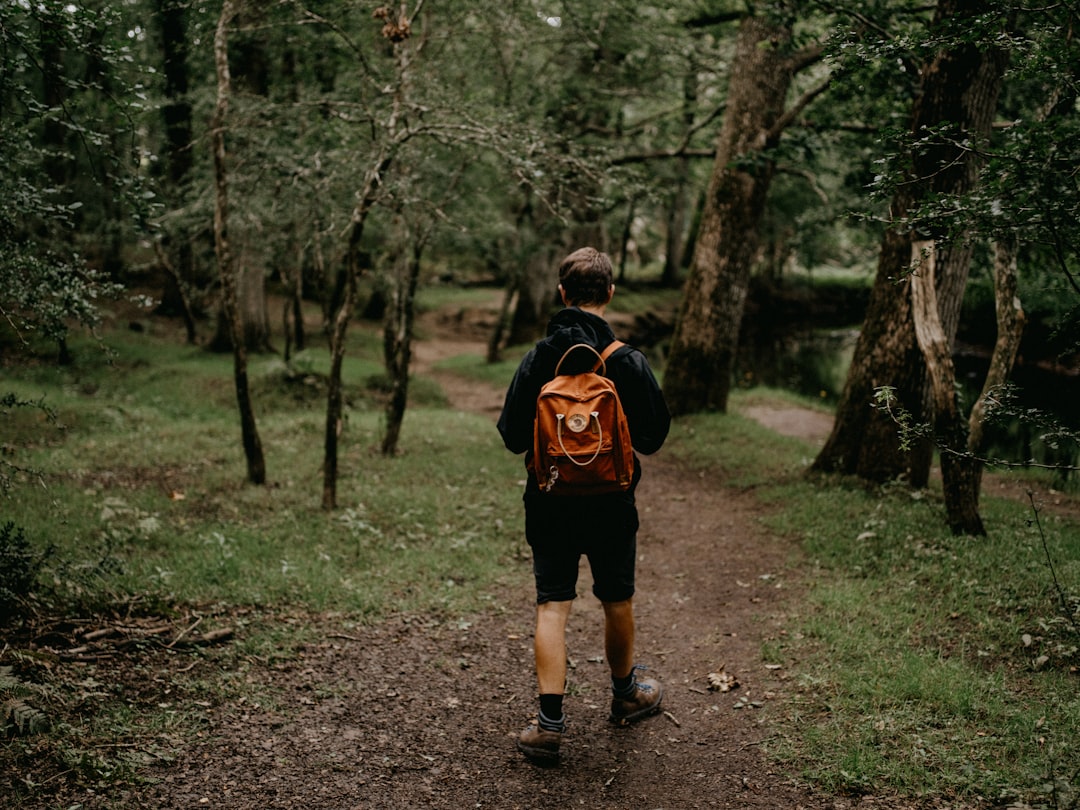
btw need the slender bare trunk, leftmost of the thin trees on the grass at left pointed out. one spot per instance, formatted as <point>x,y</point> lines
<point>253,447</point>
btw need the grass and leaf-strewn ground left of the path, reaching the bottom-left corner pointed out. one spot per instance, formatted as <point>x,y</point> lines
<point>130,505</point>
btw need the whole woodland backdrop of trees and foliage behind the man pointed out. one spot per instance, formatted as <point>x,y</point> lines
<point>273,174</point>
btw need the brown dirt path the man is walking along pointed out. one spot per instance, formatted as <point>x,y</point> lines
<point>415,712</point>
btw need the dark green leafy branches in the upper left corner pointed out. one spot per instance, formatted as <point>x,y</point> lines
<point>62,103</point>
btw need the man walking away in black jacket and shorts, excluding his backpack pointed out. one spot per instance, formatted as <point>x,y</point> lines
<point>560,529</point>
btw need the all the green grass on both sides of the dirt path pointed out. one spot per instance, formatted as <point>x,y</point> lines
<point>924,666</point>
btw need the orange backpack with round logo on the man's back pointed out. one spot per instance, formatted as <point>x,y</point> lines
<point>582,438</point>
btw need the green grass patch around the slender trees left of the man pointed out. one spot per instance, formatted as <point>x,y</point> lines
<point>142,488</point>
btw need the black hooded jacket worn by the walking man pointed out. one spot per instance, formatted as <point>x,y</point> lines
<point>628,369</point>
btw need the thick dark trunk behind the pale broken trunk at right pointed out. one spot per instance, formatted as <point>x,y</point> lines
<point>958,92</point>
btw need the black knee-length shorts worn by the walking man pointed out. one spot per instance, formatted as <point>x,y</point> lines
<point>560,530</point>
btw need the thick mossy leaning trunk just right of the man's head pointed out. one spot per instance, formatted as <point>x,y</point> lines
<point>698,375</point>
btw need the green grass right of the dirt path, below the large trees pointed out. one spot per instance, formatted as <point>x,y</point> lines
<point>927,666</point>
